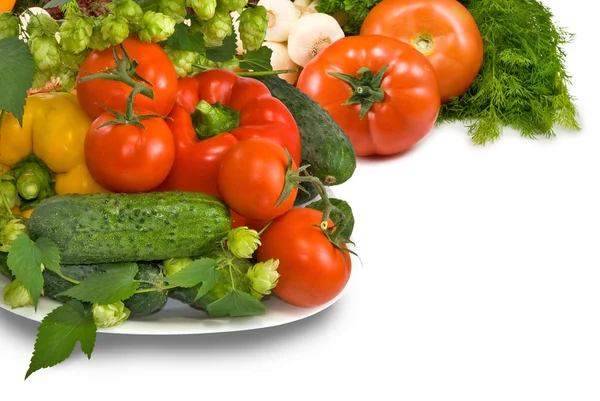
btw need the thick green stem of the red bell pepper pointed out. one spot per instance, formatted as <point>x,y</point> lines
<point>212,119</point>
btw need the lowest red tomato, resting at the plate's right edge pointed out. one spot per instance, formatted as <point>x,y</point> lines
<point>312,270</point>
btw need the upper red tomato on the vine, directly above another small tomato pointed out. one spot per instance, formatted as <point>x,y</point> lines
<point>153,65</point>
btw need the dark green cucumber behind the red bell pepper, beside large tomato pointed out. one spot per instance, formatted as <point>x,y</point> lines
<point>325,146</point>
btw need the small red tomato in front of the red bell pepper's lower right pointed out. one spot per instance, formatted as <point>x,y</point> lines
<point>251,177</point>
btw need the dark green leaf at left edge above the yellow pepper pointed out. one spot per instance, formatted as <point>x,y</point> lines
<point>16,76</point>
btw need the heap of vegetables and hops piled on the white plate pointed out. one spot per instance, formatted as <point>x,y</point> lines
<point>144,159</point>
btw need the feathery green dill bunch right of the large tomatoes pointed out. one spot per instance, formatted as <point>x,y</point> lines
<point>523,83</point>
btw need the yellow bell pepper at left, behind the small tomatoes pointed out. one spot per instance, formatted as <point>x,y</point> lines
<point>54,129</point>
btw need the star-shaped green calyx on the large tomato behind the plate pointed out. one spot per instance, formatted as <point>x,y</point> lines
<point>366,88</point>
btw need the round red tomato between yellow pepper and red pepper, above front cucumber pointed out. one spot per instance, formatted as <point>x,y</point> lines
<point>126,158</point>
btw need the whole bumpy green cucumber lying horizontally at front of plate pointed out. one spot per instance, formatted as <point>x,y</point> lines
<point>109,228</point>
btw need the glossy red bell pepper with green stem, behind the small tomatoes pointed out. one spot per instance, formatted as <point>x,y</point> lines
<point>214,110</point>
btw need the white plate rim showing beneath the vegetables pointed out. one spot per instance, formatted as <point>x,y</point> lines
<point>179,318</point>
